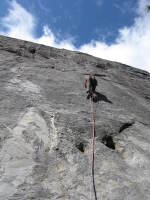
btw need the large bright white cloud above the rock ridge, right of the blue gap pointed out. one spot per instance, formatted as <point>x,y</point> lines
<point>132,46</point>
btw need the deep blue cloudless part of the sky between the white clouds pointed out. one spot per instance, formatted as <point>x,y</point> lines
<point>83,20</point>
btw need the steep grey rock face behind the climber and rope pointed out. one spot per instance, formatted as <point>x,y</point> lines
<point>46,126</point>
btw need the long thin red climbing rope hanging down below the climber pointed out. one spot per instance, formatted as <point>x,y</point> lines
<point>93,145</point>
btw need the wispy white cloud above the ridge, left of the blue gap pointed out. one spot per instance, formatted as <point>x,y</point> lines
<point>21,24</point>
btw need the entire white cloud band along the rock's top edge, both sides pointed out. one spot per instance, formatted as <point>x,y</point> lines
<point>131,47</point>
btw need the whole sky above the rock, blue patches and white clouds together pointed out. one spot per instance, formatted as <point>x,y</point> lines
<point>110,29</point>
